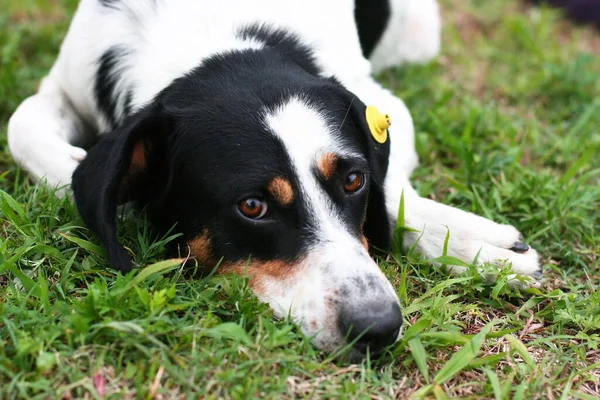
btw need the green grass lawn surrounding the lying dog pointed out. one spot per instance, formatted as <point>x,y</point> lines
<point>508,123</point>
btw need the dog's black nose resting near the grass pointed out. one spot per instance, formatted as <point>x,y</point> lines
<point>373,326</point>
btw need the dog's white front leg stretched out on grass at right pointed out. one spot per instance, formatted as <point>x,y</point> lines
<point>472,239</point>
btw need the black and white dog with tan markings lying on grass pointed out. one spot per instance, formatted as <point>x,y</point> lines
<point>253,126</point>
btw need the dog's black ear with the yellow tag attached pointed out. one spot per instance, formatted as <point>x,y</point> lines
<point>373,130</point>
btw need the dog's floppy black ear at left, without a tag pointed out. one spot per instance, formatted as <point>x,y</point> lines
<point>115,170</point>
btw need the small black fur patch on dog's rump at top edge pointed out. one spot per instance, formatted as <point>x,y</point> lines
<point>372,17</point>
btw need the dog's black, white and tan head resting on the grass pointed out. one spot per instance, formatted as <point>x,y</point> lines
<point>274,174</point>
